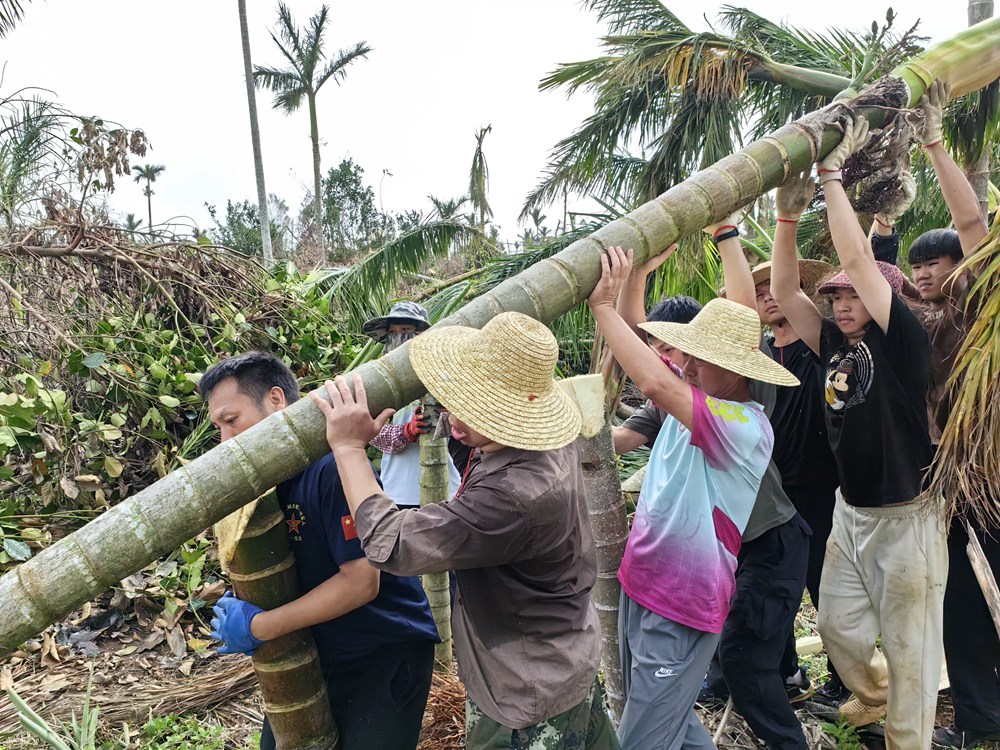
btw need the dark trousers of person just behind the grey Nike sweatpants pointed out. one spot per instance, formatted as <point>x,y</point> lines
<point>769,581</point>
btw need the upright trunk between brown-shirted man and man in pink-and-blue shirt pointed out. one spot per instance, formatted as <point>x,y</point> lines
<point>609,523</point>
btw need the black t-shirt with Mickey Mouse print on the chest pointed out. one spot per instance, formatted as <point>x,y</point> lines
<point>876,416</point>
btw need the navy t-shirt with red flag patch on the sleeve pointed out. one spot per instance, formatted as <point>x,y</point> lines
<point>322,535</point>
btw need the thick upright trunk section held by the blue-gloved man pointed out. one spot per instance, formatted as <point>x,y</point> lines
<point>262,571</point>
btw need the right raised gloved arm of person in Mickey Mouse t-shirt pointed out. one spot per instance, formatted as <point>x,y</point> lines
<point>849,240</point>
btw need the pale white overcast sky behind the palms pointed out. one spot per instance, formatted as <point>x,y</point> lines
<point>439,70</point>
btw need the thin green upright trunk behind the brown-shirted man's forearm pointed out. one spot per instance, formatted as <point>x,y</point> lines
<point>434,489</point>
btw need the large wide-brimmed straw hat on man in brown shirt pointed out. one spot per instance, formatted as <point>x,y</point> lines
<point>498,380</point>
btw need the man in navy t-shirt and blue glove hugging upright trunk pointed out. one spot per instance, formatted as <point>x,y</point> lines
<point>374,631</point>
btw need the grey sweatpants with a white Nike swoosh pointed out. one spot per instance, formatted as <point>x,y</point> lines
<point>663,666</point>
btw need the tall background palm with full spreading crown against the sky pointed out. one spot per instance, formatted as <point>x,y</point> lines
<point>304,77</point>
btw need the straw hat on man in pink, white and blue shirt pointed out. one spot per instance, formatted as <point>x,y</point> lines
<point>726,334</point>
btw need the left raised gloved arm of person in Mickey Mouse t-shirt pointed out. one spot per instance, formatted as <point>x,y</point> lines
<point>791,200</point>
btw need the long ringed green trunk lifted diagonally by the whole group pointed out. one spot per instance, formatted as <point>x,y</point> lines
<point>158,519</point>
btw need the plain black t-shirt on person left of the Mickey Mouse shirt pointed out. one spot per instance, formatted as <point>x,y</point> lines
<point>801,447</point>
